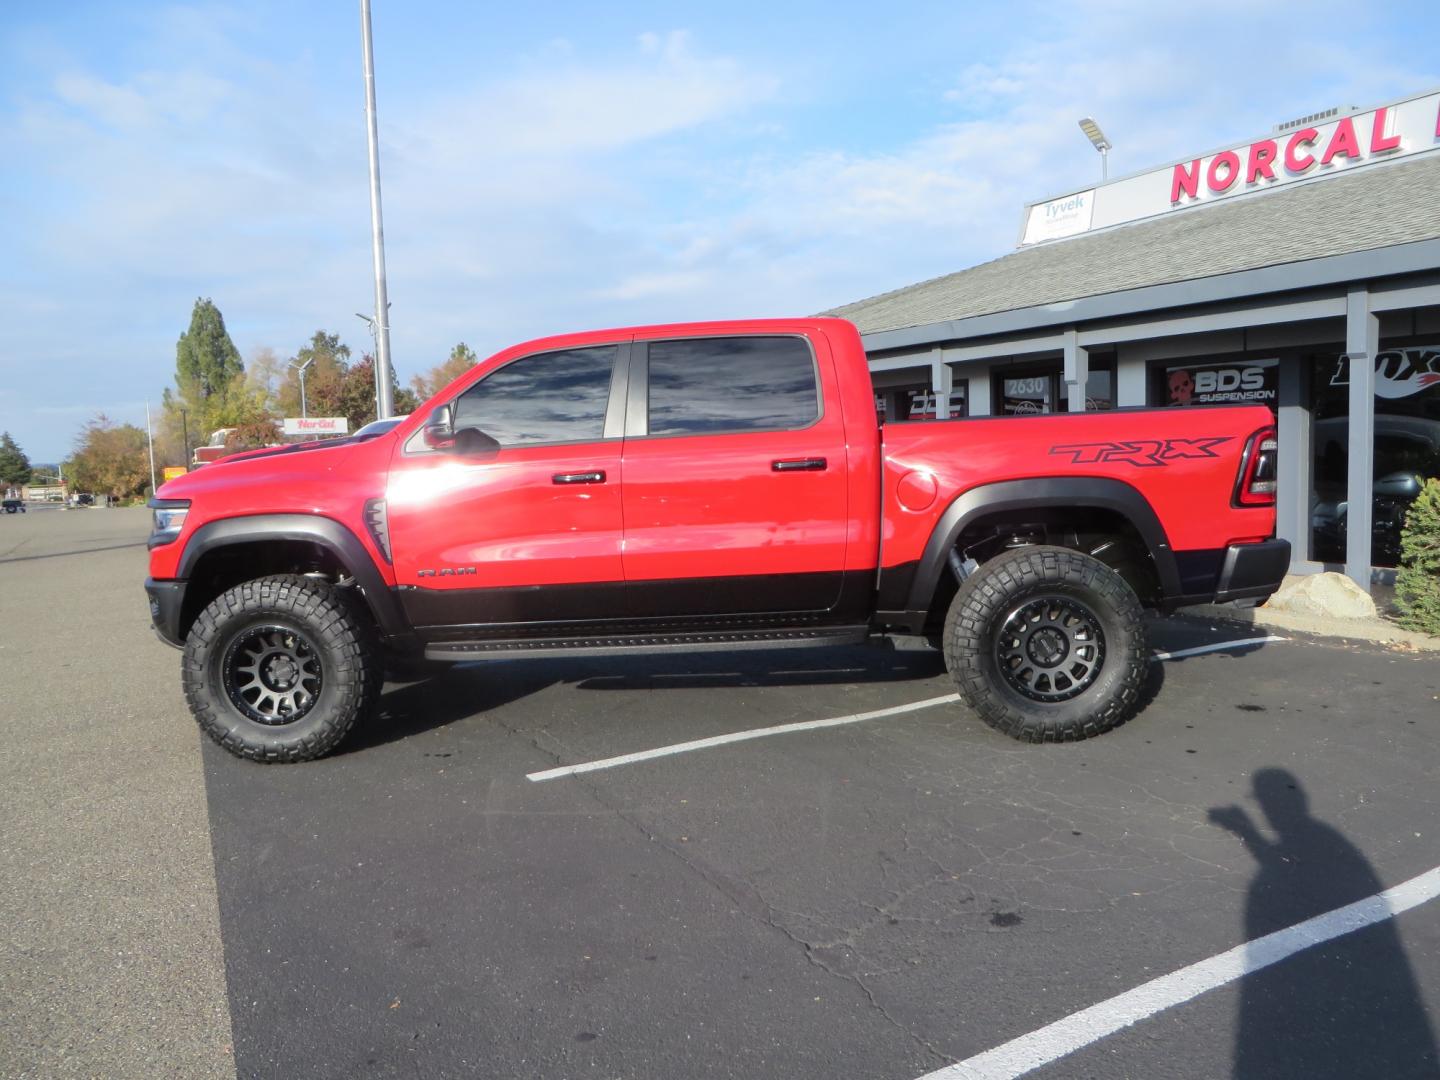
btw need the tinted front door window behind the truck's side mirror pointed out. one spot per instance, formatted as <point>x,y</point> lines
<point>546,398</point>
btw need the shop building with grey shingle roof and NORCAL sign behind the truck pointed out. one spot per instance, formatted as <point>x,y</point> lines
<point>1256,273</point>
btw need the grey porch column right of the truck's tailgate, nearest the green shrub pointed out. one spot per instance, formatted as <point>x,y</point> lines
<point>1362,346</point>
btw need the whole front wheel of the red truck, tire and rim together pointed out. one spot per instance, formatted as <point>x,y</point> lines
<point>282,669</point>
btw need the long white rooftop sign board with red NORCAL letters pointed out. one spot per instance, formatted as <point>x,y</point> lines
<point>1321,146</point>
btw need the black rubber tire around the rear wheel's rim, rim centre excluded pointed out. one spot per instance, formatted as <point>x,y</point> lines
<point>1012,584</point>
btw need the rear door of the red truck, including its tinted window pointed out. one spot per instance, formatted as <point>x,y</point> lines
<point>735,477</point>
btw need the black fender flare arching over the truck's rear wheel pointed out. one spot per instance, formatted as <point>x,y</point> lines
<point>1033,495</point>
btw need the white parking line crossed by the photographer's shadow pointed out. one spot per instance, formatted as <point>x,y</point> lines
<point>1066,1036</point>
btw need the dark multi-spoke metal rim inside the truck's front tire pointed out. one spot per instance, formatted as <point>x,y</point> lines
<point>273,675</point>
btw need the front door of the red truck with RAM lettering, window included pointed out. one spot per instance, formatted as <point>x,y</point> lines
<point>528,532</point>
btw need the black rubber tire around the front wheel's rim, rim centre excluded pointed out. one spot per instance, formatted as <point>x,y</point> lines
<point>339,636</point>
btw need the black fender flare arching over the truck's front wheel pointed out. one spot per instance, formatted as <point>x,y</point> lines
<point>325,532</point>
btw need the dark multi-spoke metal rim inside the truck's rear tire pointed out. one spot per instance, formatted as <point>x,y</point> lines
<point>1050,649</point>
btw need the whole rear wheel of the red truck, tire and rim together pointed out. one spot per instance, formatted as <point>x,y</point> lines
<point>1048,646</point>
